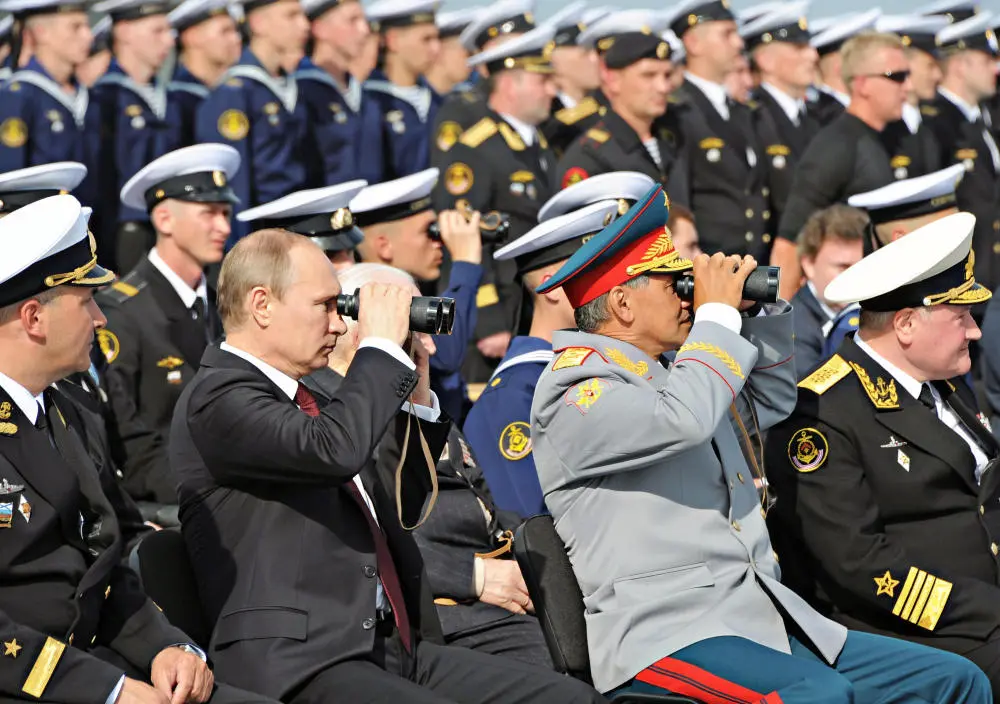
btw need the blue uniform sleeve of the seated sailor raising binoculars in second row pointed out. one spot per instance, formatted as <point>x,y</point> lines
<point>446,363</point>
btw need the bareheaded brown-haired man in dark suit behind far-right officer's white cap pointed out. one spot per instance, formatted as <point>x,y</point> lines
<point>831,241</point>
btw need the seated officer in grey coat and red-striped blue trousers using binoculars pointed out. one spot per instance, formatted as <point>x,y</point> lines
<point>642,470</point>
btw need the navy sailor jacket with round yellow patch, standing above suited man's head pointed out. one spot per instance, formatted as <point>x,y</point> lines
<point>261,116</point>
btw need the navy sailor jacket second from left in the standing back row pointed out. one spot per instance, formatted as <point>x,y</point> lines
<point>138,123</point>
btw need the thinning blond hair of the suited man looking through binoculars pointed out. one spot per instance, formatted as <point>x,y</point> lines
<point>260,259</point>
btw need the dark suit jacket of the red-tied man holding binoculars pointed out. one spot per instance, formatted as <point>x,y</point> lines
<point>283,554</point>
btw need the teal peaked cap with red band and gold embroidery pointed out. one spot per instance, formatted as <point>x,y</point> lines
<point>636,243</point>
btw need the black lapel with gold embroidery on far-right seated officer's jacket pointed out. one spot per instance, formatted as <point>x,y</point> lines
<point>907,418</point>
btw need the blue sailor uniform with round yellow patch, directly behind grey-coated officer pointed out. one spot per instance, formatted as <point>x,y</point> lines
<point>499,430</point>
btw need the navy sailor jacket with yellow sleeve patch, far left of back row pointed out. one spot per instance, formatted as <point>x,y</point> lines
<point>42,124</point>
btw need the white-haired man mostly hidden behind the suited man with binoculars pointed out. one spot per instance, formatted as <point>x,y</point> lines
<point>479,593</point>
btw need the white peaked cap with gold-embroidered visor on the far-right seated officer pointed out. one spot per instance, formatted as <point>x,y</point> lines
<point>932,265</point>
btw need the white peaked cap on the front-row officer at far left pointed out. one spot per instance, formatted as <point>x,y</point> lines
<point>60,250</point>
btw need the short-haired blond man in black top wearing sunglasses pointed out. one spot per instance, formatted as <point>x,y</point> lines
<point>847,156</point>
